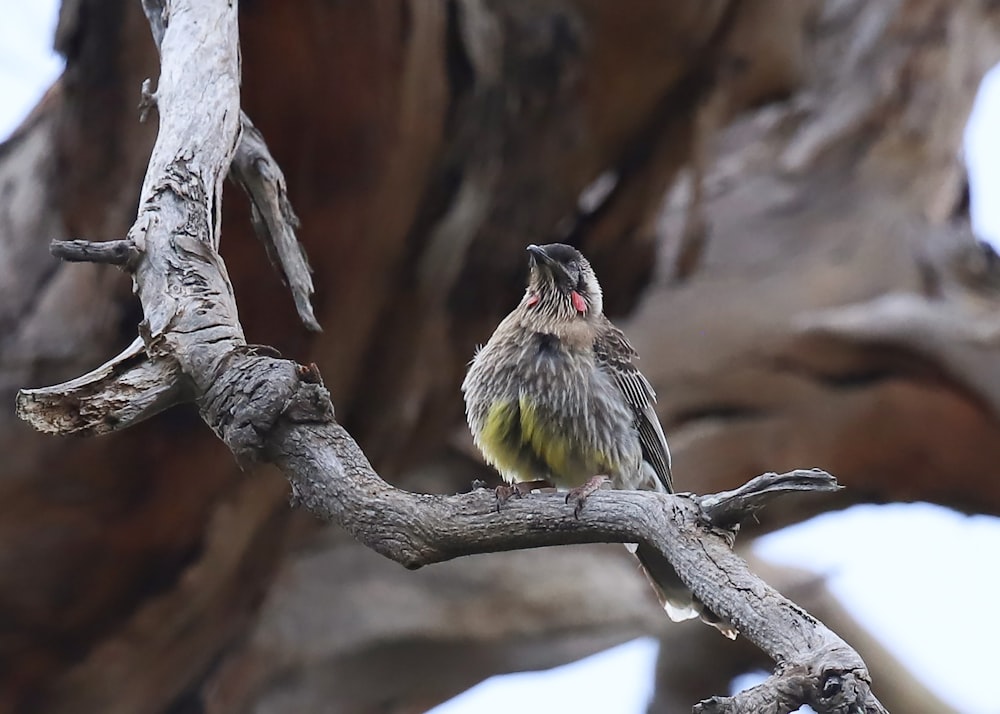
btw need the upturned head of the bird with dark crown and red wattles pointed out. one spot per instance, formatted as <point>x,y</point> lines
<point>562,282</point>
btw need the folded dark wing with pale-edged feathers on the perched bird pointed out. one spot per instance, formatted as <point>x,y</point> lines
<point>613,350</point>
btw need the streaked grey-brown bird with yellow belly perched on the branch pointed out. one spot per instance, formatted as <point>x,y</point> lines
<point>554,396</point>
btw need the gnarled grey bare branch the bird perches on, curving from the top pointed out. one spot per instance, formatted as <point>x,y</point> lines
<point>269,409</point>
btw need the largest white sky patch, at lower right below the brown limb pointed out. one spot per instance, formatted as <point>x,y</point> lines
<point>924,579</point>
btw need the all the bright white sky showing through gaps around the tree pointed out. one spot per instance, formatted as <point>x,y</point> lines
<point>890,564</point>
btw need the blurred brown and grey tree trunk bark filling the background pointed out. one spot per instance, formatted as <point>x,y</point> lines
<point>773,163</point>
